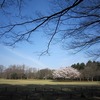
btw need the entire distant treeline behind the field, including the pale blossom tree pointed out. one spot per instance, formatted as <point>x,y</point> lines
<point>79,71</point>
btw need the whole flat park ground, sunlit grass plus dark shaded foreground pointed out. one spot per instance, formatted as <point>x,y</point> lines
<point>48,90</point>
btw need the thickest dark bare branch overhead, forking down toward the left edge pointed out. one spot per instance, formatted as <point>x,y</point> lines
<point>41,20</point>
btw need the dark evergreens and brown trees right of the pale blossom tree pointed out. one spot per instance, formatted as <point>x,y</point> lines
<point>89,71</point>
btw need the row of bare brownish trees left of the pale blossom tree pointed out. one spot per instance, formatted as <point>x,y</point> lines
<point>24,72</point>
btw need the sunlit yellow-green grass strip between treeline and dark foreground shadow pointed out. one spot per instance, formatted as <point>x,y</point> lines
<point>45,82</point>
